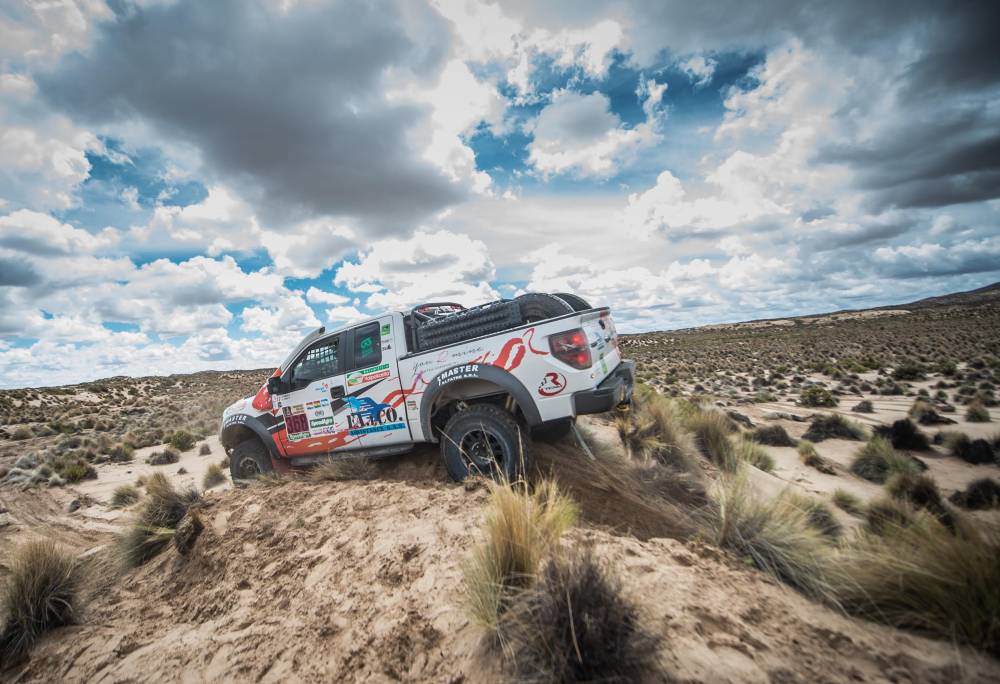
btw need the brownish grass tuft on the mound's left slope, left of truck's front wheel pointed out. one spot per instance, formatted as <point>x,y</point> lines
<point>157,518</point>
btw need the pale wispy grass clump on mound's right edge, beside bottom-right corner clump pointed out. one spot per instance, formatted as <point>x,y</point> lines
<point>776,536</point>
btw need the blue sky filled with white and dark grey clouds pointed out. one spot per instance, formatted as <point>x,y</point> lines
<point>189,185</point>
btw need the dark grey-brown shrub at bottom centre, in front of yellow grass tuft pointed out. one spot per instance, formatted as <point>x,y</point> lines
<point>576,625</point>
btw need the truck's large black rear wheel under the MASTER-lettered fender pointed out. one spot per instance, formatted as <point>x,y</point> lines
<point>485,439</point>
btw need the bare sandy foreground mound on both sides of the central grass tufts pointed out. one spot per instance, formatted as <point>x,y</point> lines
<point>359,581</point>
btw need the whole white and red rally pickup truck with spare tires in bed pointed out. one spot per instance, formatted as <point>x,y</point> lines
<point>482,382</point>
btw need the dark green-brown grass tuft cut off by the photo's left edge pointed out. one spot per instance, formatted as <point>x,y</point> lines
<point>41,593</point>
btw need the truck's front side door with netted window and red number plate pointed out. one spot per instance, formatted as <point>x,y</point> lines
<point>315,406</point>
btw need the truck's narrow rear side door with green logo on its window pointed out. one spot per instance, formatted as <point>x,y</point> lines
<point>377,410</point>
